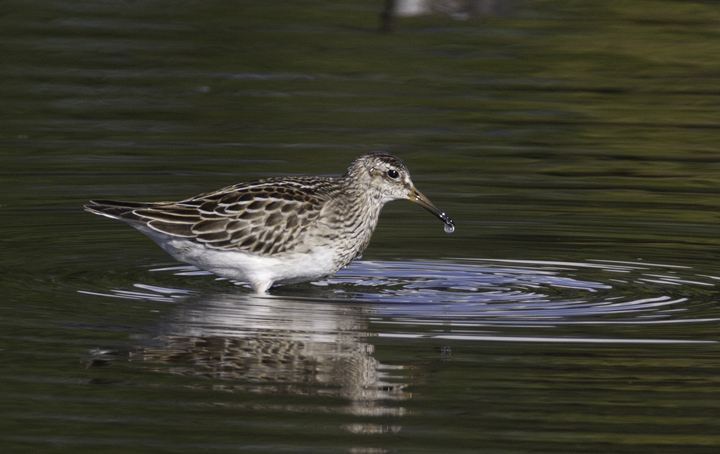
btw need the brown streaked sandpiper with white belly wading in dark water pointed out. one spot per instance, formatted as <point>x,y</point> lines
<point>279,230</point>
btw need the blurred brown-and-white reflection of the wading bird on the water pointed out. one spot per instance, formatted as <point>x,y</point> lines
<point>274,345</point>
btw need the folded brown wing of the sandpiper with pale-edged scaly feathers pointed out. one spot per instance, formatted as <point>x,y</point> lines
<point>267,217</point>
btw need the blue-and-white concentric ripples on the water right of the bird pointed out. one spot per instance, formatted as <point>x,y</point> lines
<point>541,292</point>
